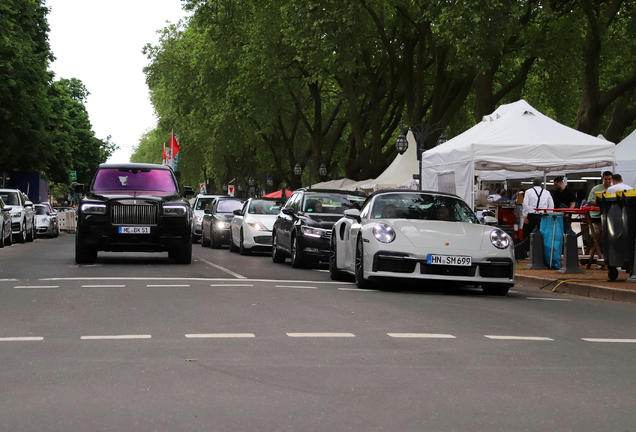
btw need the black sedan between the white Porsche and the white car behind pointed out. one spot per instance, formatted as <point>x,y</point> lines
<point>303,227</point>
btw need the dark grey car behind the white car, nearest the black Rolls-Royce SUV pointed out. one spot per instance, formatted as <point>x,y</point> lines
<point>215,227</point>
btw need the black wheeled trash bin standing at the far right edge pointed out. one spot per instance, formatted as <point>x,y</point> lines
<point>618,217</point>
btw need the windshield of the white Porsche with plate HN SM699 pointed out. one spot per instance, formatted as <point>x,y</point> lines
<point>422,206</point>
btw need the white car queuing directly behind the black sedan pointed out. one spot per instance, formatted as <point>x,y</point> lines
<point>251,227</point>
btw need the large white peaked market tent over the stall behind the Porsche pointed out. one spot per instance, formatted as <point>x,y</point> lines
<point>516,137</point>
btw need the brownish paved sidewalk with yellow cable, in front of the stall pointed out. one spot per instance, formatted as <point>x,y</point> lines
<point>591,283</point>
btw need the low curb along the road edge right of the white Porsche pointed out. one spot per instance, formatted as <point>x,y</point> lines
<point>578,288</point>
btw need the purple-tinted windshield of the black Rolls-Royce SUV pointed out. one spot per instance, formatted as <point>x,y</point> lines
<point>129,180</point>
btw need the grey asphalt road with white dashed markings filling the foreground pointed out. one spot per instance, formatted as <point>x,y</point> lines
<point>237,343</point>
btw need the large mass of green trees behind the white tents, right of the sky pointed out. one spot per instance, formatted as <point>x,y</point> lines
<point>256,86</point>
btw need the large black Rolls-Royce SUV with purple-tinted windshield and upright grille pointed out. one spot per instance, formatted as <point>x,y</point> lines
<point>134,207</point>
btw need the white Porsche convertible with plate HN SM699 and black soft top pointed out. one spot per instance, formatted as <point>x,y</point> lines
<point>419,235</point>
